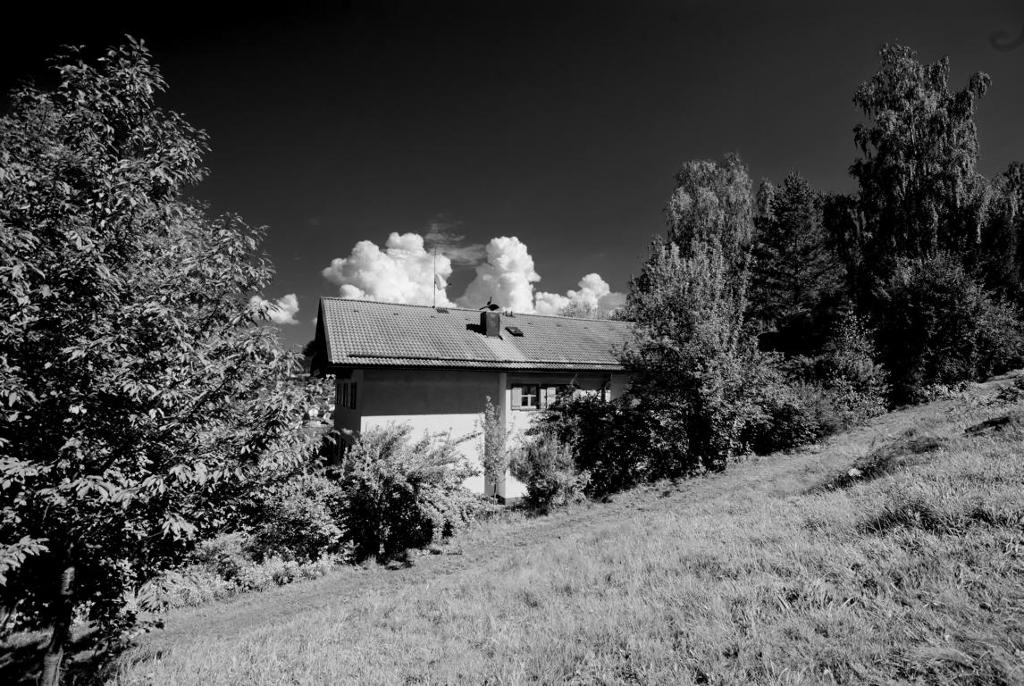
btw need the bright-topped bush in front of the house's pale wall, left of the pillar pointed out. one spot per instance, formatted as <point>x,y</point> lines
<point>401,494</point>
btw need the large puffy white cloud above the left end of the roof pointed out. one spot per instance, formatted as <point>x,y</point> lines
<point>404,272</point>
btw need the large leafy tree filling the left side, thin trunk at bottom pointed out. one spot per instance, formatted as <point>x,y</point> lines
<point>136,385</point>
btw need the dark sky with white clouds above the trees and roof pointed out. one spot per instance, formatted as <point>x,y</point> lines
<point>533,144</point>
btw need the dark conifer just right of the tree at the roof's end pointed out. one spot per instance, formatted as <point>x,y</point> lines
<point>796,278</point>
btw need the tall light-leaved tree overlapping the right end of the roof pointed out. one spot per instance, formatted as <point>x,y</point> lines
<point>691,350</point>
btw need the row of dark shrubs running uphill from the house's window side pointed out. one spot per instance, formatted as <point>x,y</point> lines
<point>585,446</point>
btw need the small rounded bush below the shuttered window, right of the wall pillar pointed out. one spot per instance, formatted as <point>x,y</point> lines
<point>548,469</point>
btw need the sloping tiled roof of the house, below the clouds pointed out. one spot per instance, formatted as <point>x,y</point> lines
<point>362,333</point>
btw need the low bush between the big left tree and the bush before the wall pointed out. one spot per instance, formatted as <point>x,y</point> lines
<point>300,522</point>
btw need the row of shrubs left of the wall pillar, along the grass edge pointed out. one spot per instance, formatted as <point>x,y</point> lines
<point>389,494</point>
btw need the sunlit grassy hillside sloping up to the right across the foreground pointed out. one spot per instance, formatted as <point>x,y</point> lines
<point>786,570</point>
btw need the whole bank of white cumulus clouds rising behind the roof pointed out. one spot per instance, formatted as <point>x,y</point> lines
<point>404,272</point>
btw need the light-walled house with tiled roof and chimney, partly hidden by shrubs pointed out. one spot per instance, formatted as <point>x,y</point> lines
<point>435,368</point>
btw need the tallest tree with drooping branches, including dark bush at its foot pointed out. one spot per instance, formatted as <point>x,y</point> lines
<point>929,234</point>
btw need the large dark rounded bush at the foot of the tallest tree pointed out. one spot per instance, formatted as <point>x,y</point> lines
<point>938,326</point>
